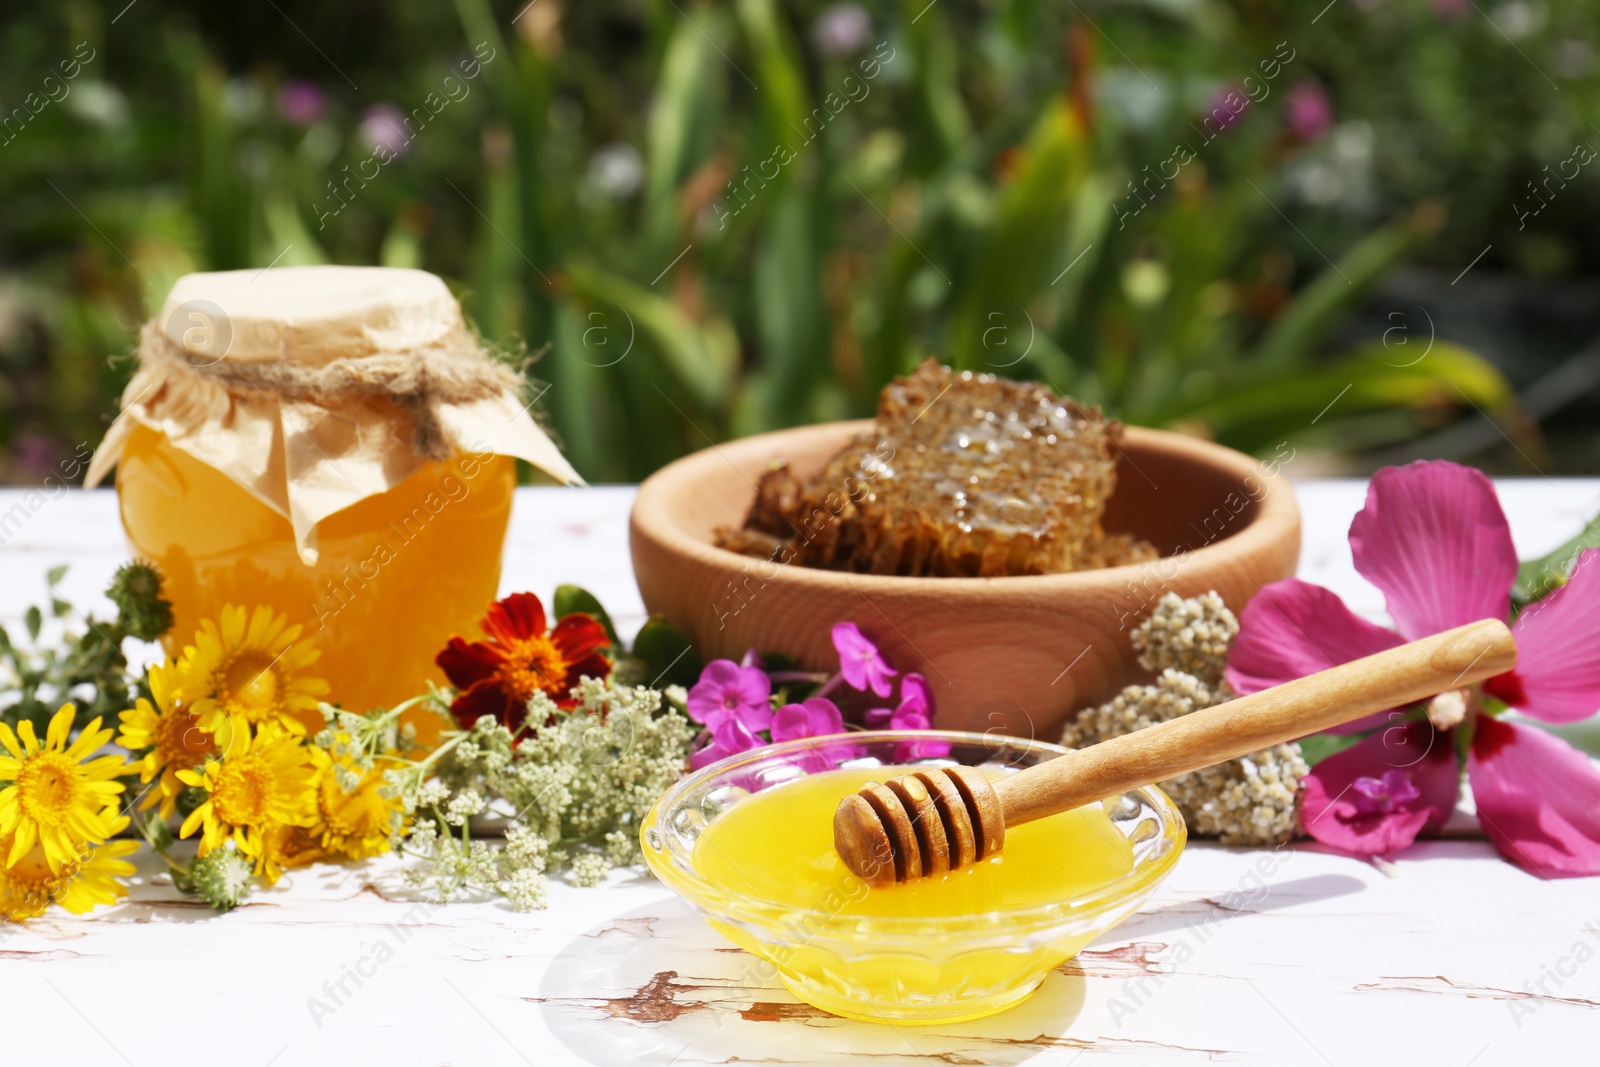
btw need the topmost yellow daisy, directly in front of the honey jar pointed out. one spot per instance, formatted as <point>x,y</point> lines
<point>250,666</point>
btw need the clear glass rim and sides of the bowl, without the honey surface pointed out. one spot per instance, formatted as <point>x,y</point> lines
<point>900,969</point>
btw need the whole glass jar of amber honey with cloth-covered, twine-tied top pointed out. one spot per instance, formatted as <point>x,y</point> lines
<point>330,442</point>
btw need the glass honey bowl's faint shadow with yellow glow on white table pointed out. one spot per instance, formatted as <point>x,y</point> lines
<point>658,986</point>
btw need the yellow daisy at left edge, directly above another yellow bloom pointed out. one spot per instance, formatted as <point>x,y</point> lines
<point>55,799</point>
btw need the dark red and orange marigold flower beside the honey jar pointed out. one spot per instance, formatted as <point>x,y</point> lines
<point>521,658</point>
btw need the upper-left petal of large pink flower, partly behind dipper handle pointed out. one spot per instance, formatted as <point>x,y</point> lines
<point>1292,629</point>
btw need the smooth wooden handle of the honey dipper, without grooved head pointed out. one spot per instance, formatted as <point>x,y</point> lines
<point>1295,709</point>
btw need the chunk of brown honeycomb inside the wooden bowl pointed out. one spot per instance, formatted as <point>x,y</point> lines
<point>964,476</point>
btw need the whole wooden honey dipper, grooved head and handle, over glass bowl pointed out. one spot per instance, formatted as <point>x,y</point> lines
<point>942,818</point>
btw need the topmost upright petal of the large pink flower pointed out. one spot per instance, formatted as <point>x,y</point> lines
<point>1436,541</point>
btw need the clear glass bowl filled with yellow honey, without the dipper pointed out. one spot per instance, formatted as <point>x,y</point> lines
<point>750,842</point>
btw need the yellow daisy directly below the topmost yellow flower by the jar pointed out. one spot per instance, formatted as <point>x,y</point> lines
<point>258,783</point>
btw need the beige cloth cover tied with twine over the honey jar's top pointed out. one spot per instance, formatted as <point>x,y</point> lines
<point>316,388</point>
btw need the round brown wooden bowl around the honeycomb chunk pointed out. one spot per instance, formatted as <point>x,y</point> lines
<point>1012,655</point>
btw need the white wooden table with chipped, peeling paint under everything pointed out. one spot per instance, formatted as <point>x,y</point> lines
<point>1297,957</point>
